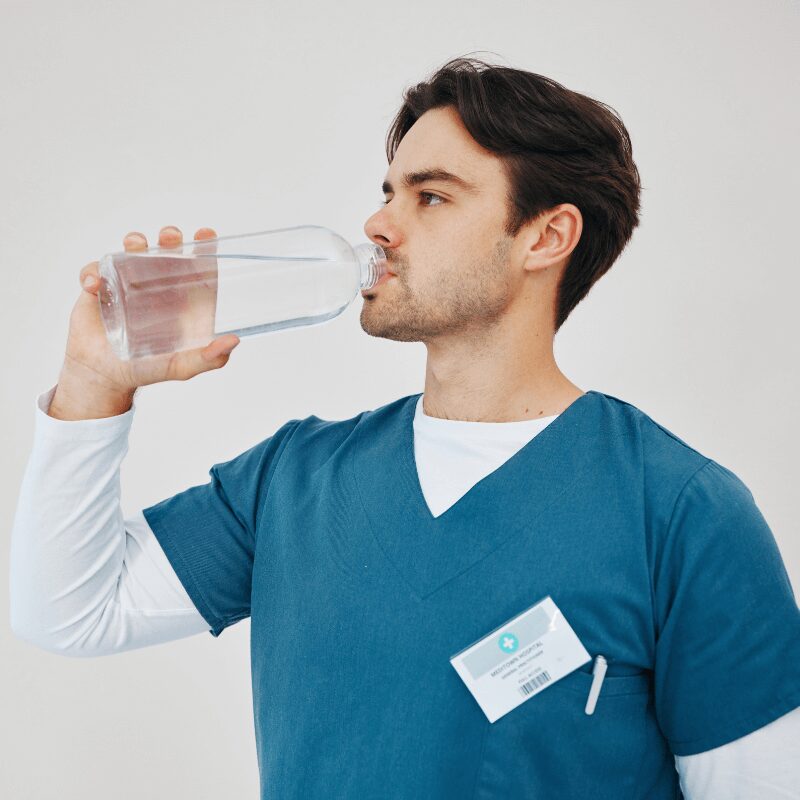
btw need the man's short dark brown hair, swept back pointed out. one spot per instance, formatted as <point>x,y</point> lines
<point>556,145</point>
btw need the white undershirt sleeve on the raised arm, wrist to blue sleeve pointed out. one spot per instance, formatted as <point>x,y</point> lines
<point>85,581</point>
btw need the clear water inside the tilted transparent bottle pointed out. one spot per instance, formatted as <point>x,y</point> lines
<point>183,301</point>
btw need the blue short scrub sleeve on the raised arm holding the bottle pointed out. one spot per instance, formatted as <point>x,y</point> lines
<point>209,532</point>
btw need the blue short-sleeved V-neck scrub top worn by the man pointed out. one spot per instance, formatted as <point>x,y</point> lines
<point>358,596</point>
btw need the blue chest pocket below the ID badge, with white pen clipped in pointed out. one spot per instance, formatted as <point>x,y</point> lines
<point>549,747</point>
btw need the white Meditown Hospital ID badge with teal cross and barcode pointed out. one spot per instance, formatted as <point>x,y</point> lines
<point>519,659</point>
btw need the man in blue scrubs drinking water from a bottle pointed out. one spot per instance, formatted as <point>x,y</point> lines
<point>376,555</point>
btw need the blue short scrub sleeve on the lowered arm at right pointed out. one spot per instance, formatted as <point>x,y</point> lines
<point>728,625</point>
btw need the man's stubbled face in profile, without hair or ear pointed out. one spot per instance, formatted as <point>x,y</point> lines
<point>447,248</point>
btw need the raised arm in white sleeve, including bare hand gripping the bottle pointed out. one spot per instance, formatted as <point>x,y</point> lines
<point>75,570</point>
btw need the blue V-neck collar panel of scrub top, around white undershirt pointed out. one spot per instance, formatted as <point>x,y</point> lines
<point>428,551</point>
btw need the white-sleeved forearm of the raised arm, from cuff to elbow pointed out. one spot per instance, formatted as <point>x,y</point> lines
<point>68,537</point>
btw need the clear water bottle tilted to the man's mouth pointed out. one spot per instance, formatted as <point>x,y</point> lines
<point>164,300</point>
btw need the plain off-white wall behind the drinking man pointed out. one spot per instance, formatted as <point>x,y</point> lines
<point>246,116</point>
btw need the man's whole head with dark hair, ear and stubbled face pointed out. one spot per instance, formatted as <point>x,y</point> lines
<point>547,199</point>
